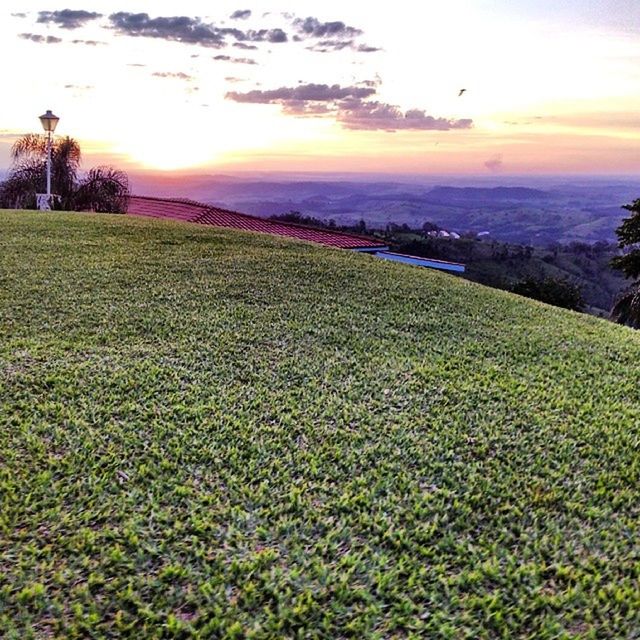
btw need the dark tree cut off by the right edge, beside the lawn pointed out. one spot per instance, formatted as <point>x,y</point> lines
<point>626,309</point>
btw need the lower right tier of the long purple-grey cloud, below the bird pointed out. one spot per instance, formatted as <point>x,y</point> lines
<point>379,116</point>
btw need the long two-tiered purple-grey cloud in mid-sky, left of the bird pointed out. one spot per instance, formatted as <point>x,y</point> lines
<point>351,106</point>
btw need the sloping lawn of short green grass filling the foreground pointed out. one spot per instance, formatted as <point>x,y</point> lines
<point>212,434</point>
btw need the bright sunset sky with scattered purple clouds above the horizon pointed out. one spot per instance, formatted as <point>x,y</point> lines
<point>552,87</point>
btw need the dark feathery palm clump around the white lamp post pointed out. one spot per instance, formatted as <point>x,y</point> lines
<point>103,189</point>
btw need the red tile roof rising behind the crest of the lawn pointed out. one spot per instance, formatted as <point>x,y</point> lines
<point>191,211</point>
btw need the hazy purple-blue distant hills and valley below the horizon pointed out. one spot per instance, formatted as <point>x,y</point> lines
<point>534,211</point>
